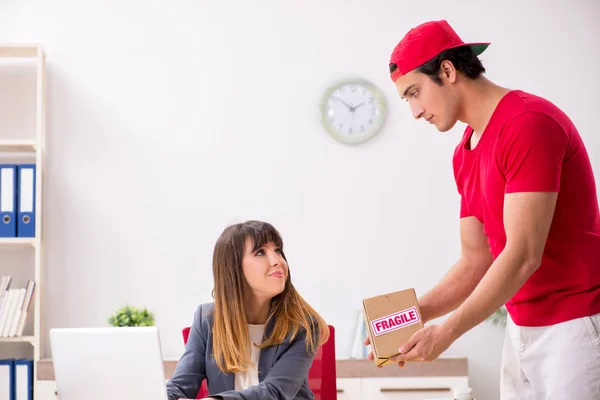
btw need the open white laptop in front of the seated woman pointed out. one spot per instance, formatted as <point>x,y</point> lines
<point>108,363</point>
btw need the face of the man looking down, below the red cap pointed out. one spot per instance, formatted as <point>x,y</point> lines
<point>436,104</point>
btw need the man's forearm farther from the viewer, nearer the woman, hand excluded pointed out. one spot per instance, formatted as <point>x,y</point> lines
<point>454,288</point>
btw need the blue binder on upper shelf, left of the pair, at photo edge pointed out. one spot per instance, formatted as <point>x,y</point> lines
<point>8,200</point>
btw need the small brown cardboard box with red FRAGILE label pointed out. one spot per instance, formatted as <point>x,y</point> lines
<point>391,320</point>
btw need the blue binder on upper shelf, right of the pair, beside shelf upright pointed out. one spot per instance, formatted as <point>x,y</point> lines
<point>26,209</point>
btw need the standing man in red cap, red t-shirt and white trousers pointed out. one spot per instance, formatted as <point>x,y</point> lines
<point>529,221</point>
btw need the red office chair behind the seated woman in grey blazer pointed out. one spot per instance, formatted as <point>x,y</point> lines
<point>321,375</point>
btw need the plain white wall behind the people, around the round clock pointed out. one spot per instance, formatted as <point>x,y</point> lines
<point>166,123</point>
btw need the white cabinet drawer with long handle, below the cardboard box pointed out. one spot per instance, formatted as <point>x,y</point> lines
<point>417,388</point>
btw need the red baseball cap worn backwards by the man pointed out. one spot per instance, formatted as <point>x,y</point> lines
<point>425,41</point>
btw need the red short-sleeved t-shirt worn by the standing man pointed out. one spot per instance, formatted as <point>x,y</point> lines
<point>530,145</point>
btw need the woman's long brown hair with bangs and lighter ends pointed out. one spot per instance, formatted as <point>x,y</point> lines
<point>231,340</point>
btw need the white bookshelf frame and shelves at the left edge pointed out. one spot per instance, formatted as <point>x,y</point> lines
<point>33,149</point>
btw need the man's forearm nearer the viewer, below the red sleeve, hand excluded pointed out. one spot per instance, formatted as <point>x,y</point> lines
<point>506,275</point>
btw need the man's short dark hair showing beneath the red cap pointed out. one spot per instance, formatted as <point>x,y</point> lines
<point>463,58</point>
